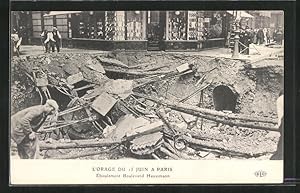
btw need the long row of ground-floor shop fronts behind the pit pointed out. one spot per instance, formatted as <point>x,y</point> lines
<point>133,30</point>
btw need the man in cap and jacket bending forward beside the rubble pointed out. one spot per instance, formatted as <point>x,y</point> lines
<point>25,123</point>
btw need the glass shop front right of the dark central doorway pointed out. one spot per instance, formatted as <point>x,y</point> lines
<point>195,30</point>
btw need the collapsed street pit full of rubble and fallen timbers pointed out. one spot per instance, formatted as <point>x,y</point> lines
<point>149,105</point>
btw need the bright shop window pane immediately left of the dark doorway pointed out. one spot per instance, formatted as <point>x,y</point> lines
<point>134,25</point>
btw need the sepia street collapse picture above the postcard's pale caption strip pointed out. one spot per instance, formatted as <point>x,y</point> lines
<point>147,85</point>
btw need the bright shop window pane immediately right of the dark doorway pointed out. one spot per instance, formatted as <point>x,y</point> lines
<point>177,25</point>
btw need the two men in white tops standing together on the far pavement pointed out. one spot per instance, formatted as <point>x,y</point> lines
<point>51,40</point>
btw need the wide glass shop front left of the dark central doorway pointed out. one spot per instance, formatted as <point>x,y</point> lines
<point>109,30</point>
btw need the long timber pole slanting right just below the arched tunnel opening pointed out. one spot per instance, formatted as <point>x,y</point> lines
<point>218,116</point>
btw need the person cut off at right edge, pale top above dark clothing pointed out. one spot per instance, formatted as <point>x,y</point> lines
<point>278,155</point>
